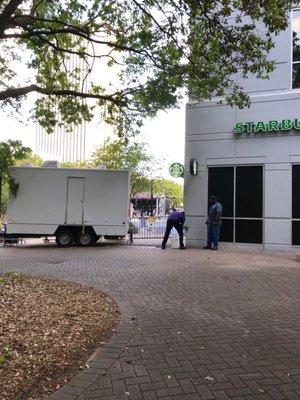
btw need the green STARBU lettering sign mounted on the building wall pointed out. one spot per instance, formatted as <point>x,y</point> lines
<point>265,127</point>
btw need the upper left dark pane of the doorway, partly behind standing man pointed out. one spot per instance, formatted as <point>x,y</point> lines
<point>220,184</point>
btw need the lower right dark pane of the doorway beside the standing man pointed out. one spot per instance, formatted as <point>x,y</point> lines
<point>248,231</point>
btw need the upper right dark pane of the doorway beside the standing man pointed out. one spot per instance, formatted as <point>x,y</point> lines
<point>249,182</point>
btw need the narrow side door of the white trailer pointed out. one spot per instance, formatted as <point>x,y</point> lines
<point>75,201</point>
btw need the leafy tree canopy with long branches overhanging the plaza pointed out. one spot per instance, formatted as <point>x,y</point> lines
<point>163,49</point>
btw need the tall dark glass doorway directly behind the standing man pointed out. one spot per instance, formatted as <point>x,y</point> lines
<point>240,190</point>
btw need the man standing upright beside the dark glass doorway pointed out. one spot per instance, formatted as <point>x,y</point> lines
<point>214,223</point>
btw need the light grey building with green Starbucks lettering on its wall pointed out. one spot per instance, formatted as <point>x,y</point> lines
<point>250,158</point>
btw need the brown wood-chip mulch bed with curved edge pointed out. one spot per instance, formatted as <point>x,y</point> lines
<point>48,329</point>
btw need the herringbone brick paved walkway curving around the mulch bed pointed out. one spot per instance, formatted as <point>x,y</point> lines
<point>195,324</point>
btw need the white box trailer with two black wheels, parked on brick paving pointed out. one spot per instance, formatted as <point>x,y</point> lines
<point>74,205</point>
